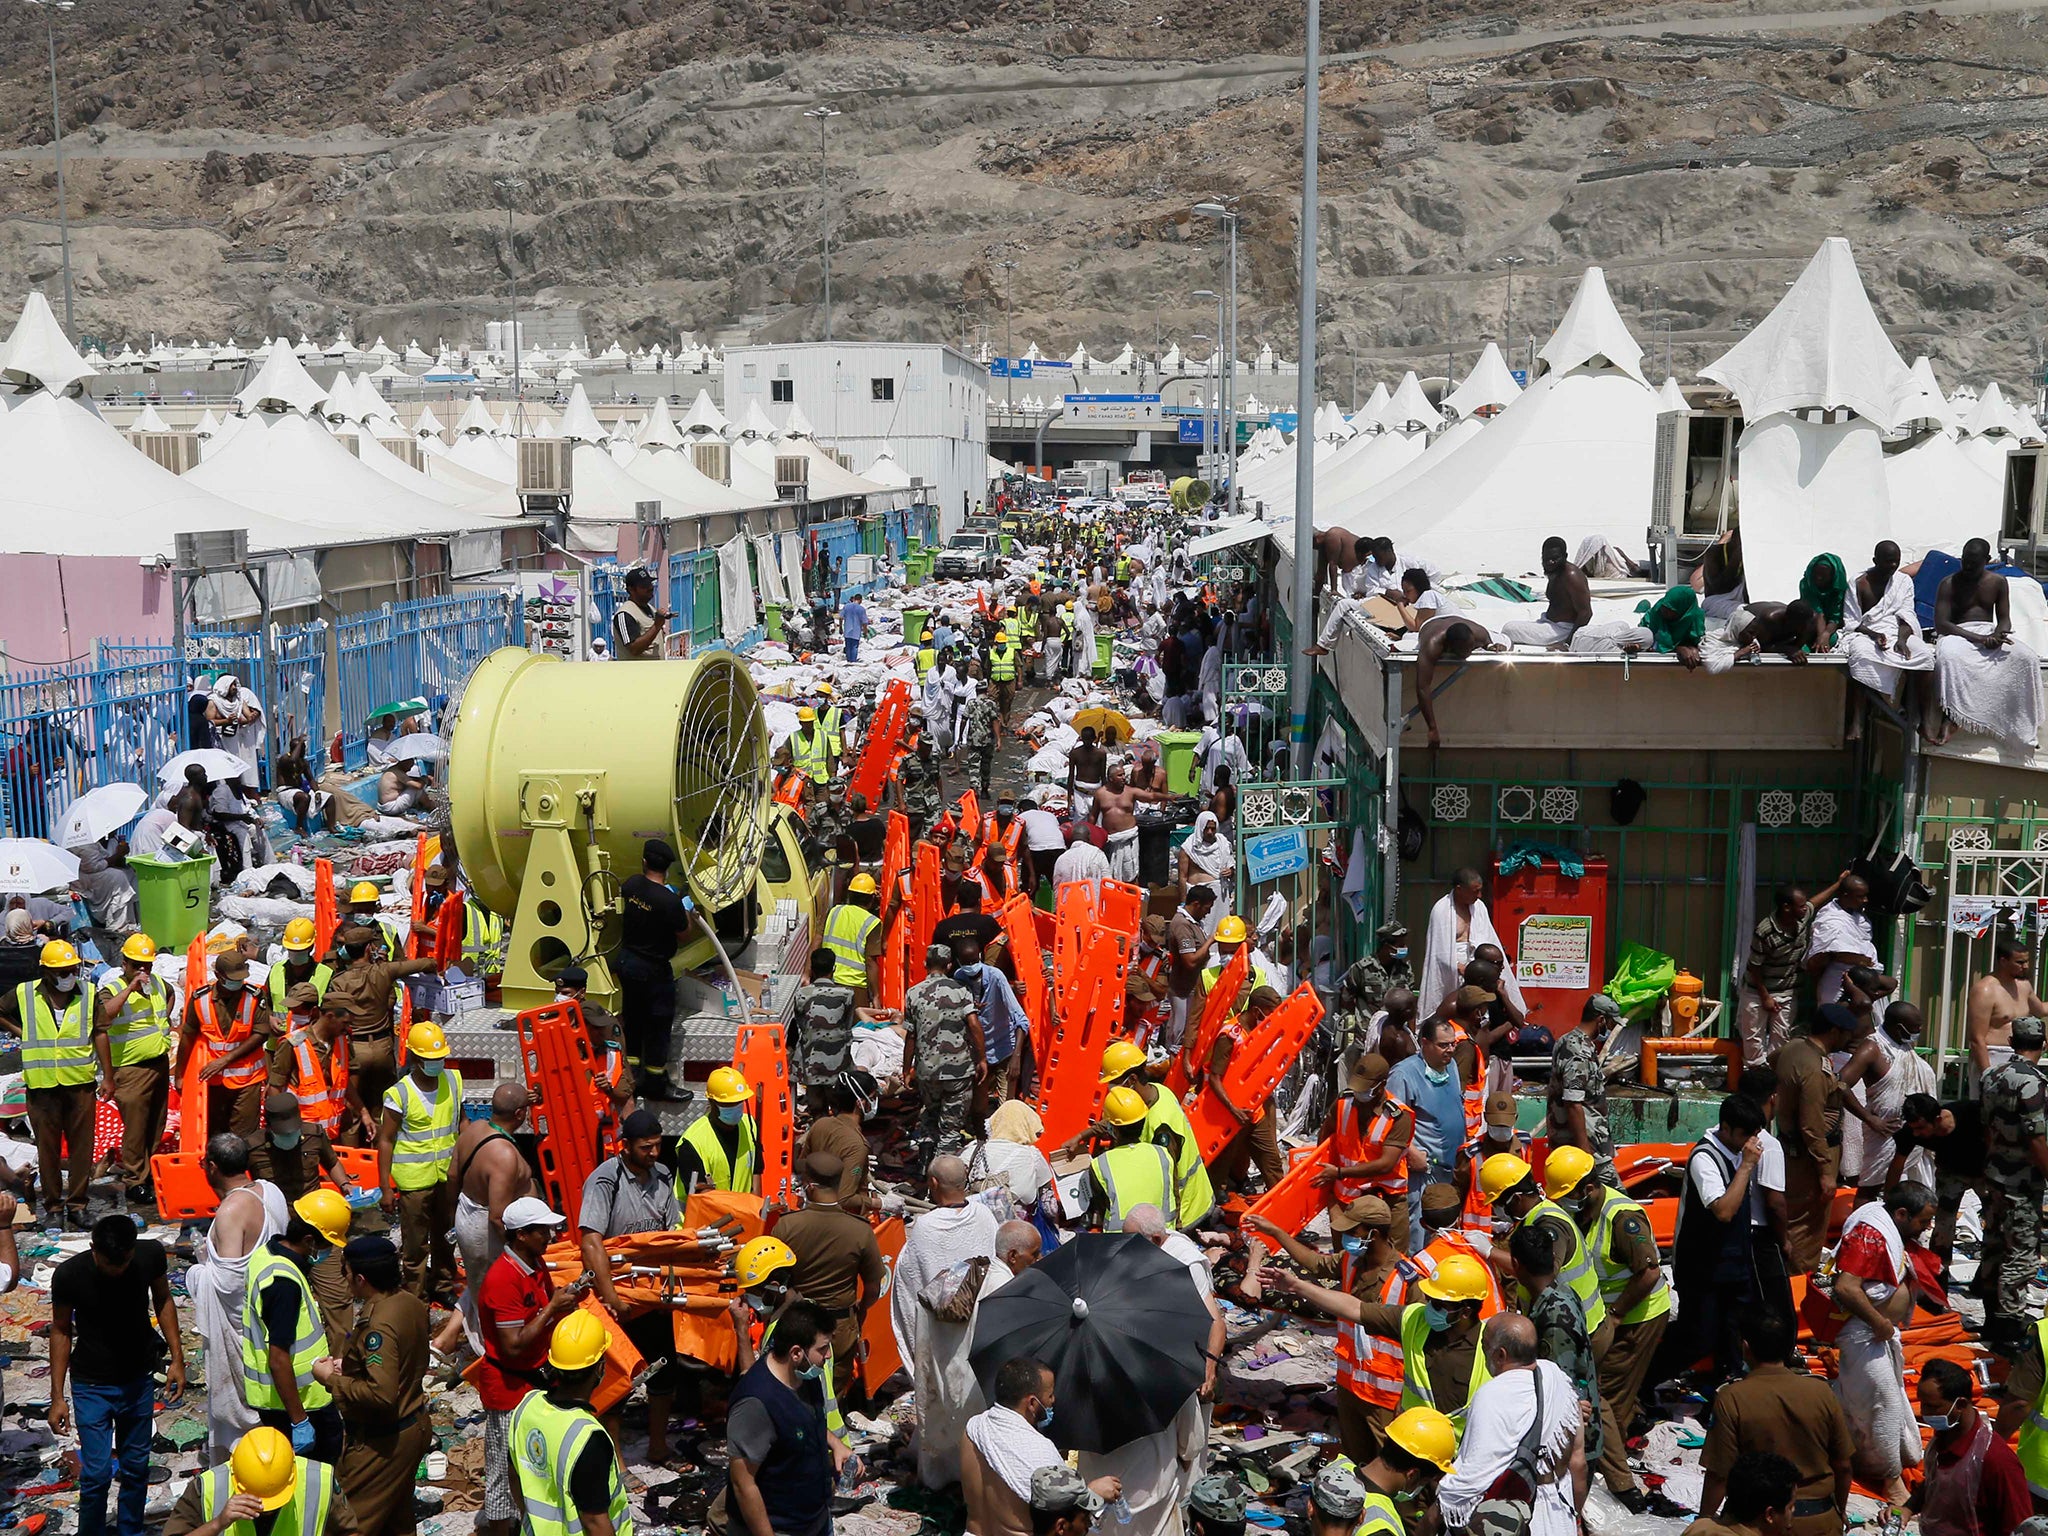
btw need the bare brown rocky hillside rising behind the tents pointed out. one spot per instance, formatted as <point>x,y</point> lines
<point>253,167</point>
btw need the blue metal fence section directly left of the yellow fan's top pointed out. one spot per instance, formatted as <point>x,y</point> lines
<point>411,650</point>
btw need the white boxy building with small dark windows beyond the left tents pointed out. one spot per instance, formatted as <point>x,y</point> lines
<point>925,404</point>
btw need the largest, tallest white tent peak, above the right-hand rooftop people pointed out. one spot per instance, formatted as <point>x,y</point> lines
<point>1820,349</point>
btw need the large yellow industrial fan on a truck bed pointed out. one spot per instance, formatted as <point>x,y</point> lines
<point>562,771</point>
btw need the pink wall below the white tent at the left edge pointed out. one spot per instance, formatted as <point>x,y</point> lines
<point>99,597</point>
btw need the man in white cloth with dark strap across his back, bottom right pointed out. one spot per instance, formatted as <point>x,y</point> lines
<point>1496,1424</point>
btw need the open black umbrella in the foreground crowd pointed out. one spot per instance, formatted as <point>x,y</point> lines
<point>1119,1324</point>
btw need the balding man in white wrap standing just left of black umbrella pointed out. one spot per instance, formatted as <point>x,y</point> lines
<point>957,1230</point>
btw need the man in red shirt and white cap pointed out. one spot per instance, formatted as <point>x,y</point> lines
<point>517,1312</point>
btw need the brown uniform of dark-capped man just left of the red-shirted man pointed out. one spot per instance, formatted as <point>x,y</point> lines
<point>386,1412</point>
